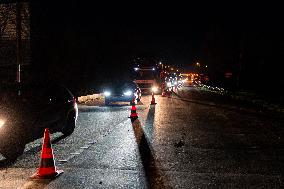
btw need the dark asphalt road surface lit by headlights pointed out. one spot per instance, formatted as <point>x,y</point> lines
<point>175,144</point>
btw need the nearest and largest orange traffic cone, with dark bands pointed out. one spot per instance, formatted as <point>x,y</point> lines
<point>47,169</point>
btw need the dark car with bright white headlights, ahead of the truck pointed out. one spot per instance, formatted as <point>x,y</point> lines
<point>121,91</point>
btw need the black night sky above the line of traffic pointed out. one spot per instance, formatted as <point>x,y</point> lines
<point>89,43</point>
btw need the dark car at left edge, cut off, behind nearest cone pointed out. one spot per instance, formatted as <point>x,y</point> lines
<point>27,109</point>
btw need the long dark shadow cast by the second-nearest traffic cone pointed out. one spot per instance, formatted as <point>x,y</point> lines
<point>153,176</point>
